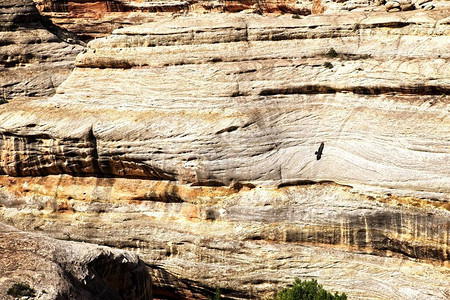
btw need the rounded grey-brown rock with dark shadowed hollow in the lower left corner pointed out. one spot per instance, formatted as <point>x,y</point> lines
<point>69,270</point>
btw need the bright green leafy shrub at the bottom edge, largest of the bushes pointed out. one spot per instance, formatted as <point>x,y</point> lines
<point>307,290</point>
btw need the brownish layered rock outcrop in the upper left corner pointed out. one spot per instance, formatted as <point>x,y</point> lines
<point>35,55</point>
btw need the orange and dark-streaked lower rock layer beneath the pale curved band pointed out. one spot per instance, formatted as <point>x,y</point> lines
<point>251,242</point>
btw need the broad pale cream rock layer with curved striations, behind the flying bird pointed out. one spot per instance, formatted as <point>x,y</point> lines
<point>249,102</point>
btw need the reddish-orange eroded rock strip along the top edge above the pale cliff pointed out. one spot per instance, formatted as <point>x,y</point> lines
<point>93,18</point>
